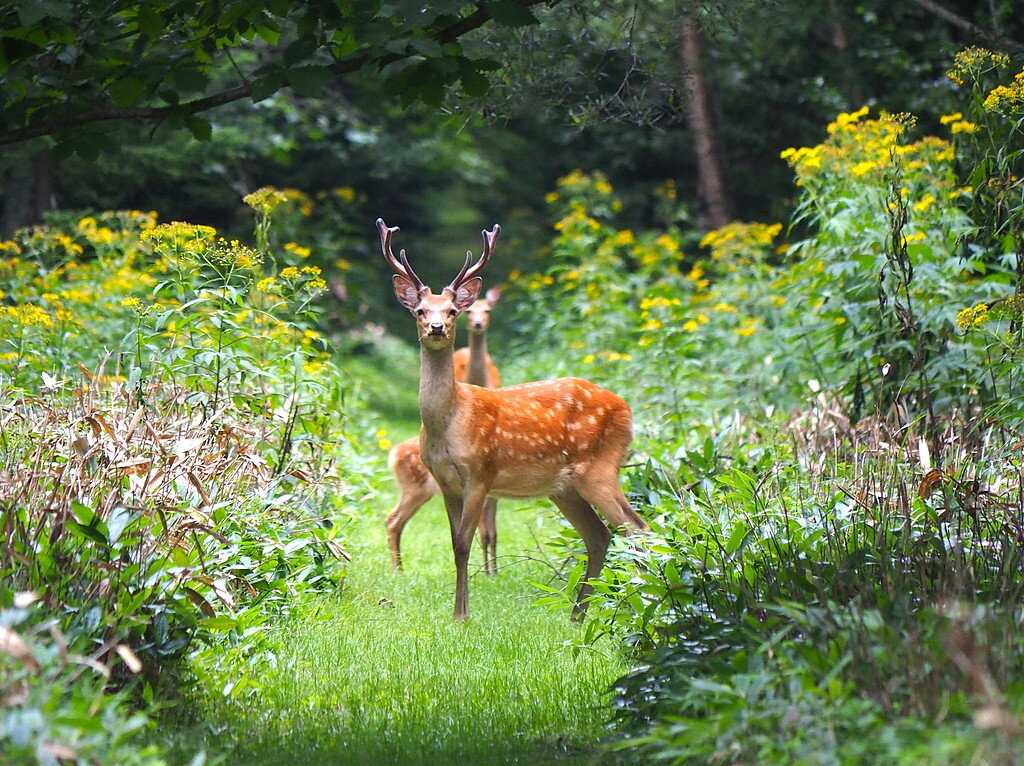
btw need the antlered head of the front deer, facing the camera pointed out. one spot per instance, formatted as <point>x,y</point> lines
<point>436,315</point>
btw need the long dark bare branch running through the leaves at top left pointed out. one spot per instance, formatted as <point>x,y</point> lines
<point>153,114</point>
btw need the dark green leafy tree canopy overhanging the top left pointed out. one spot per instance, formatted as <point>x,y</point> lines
<point>68,69</point>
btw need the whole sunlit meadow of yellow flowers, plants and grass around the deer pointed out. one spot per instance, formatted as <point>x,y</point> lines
<point>828,416</point>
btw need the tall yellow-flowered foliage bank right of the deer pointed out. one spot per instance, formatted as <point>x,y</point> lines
<point>823,585</point>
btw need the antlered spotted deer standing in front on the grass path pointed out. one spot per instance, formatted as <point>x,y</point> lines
<point>565,440</point>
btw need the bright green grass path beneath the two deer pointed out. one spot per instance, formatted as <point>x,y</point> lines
<point>382,675</point>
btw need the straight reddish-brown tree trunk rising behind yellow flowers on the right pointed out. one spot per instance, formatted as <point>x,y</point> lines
<point>707,145</point>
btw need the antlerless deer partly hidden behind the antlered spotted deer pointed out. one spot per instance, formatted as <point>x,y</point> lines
<point>416,486</point>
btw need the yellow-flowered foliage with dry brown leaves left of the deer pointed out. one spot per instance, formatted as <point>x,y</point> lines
<point>165,483</point>
